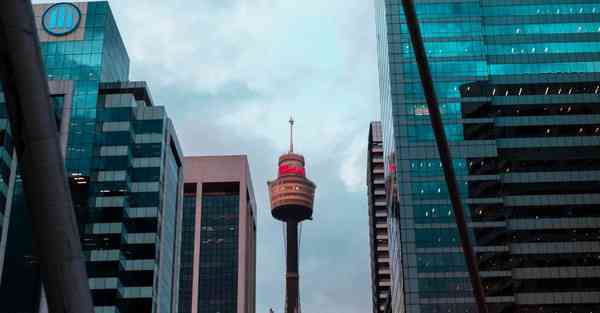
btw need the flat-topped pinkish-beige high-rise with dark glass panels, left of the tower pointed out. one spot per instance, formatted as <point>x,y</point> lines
<point>218,246</point>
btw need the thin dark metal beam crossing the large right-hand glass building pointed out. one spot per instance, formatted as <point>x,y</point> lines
<point>444,151</point>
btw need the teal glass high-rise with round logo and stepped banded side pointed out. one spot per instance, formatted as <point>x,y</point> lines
<point>124,166</point>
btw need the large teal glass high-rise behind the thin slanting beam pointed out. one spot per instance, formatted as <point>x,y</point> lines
<point>523,193</point>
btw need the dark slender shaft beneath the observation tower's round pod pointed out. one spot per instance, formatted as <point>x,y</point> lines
<point>291,276</point>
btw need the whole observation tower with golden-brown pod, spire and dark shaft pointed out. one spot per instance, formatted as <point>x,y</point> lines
<point>292,196</point>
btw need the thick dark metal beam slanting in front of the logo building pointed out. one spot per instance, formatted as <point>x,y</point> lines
<point>55,231</point>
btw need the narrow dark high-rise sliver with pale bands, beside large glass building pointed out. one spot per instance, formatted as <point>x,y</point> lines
<point>378,220</point>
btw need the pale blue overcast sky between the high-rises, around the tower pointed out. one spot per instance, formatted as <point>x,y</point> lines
<point>230,73</point>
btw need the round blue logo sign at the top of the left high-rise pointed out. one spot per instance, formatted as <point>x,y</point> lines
<point>61,19</point>
